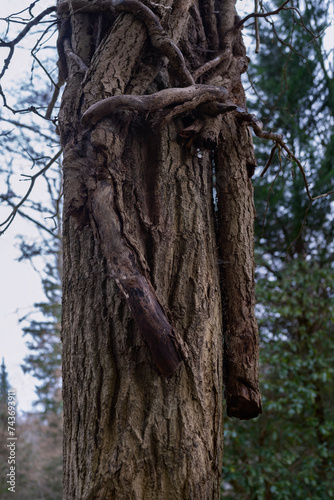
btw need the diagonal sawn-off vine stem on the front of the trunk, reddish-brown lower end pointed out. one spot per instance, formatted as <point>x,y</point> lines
<point>137,289</point>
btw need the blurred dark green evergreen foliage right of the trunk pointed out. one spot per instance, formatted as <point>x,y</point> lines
<point>289,451</point>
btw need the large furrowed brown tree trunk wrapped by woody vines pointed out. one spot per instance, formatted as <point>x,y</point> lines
<point>142,313</point>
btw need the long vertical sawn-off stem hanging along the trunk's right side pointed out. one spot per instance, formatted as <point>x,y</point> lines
<point>236,241</point>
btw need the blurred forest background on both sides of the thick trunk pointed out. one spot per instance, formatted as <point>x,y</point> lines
<point>288,452</point>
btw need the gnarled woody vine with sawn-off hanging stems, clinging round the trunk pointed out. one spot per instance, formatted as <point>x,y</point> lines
<point>206,94</point>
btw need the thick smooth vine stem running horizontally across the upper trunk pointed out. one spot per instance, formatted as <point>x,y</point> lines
<point>153,102</point>
